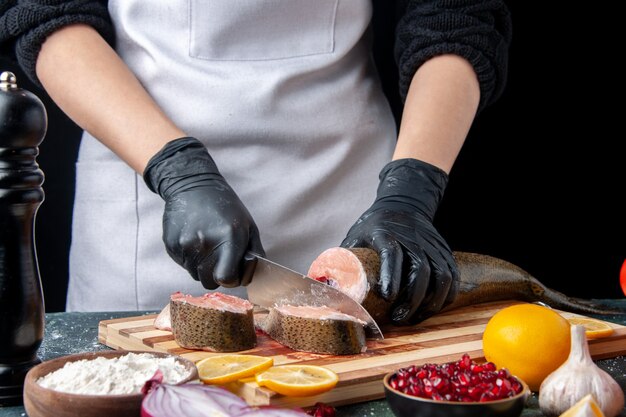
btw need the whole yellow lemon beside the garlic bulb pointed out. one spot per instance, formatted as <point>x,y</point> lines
<point>529,340</point>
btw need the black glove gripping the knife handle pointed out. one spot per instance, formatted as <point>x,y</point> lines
<point>206,227</point>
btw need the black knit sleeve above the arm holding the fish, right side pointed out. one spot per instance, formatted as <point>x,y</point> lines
<point>477,30</point>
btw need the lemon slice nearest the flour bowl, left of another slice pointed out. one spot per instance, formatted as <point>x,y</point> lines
<point>229,368</point>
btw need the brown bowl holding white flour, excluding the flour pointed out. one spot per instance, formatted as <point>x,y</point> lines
<point>45,402</point>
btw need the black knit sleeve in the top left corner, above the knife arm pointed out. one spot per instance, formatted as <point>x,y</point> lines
<point>25,25</point>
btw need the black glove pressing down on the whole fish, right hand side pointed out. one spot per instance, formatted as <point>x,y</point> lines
<point>417,266</point>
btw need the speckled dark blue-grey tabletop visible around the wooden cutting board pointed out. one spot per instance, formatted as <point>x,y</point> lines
<point>68,333</point>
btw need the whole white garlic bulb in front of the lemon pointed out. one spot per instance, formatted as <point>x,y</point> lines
<point>576,378</point>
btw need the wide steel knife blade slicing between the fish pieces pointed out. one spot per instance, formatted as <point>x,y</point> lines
<point>273,284</point>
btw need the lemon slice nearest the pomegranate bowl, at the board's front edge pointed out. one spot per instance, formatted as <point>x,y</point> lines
<point>298,380</point>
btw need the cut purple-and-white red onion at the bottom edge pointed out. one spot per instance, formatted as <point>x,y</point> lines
<point>200,400</point>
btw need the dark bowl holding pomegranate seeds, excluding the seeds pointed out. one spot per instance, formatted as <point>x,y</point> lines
<point>404,405</point>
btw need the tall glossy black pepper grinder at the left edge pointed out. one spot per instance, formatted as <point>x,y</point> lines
<point>23,124</point>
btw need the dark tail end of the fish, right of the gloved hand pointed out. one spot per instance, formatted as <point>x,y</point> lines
<point>484,278</point>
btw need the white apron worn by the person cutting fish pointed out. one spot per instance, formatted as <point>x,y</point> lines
<point>285,96</point>
